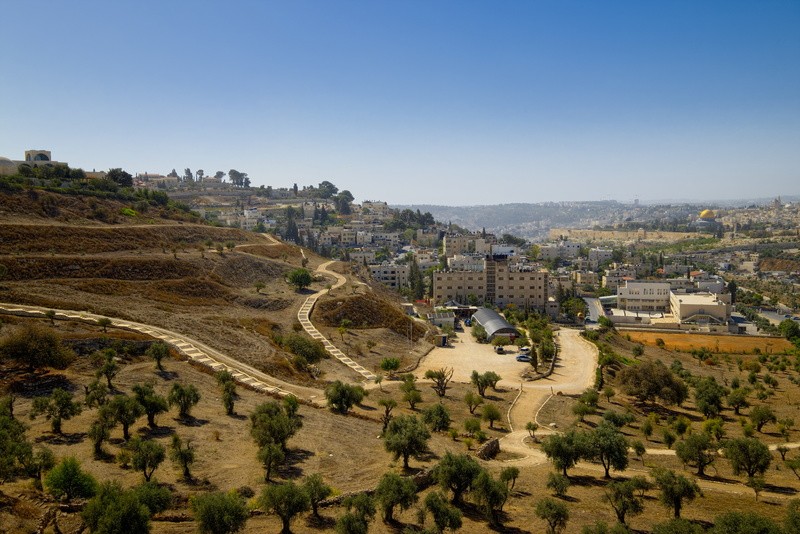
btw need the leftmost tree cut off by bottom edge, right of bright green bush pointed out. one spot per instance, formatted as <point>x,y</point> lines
<point>115,511</point>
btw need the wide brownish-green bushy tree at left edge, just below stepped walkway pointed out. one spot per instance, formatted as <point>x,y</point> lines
<point>36,347</point>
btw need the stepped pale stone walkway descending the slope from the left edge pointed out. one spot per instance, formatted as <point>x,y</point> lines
<point>194,350</point>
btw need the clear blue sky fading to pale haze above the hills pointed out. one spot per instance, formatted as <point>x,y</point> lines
<point>456,103</point>
